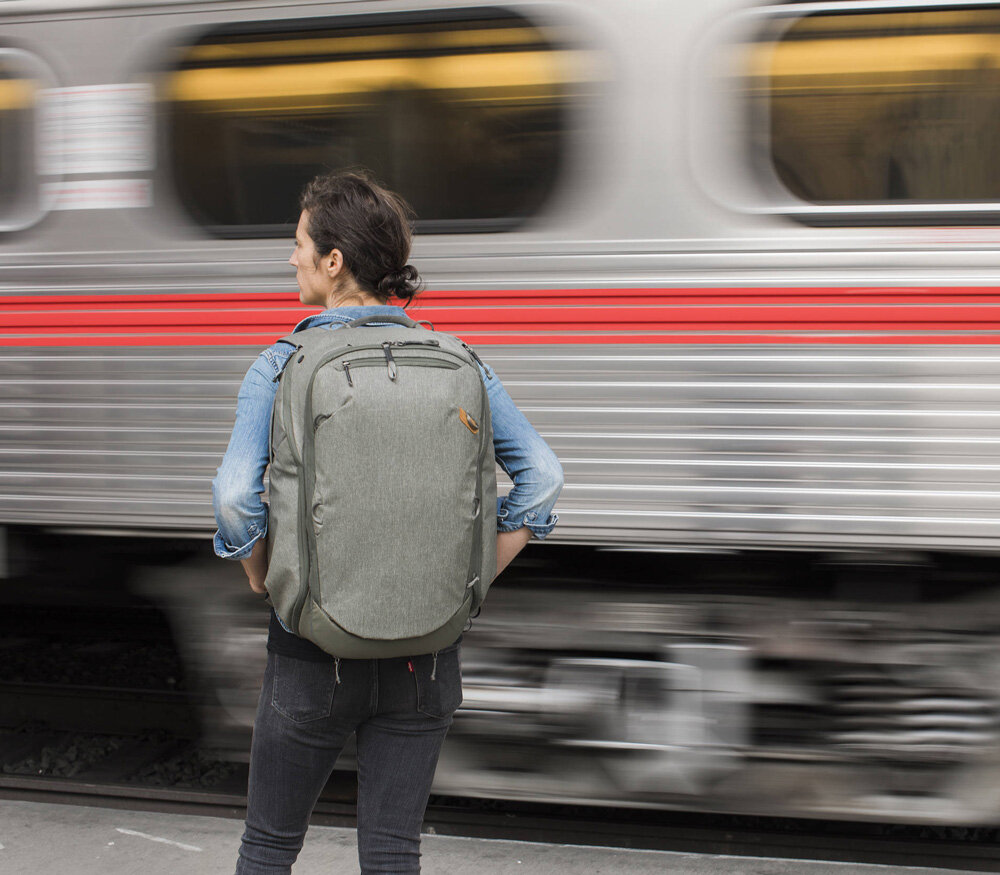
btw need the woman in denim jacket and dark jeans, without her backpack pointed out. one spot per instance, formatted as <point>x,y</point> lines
<point>351,249</point>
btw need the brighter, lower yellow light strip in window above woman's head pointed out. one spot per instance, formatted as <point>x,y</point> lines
<point>510,70</point>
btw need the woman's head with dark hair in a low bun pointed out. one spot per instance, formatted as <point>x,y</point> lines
<point>352,242</point>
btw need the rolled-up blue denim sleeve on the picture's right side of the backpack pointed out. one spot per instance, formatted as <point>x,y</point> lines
<point>529,462</point>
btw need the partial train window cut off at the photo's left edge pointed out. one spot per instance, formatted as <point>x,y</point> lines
<point>19,85</point>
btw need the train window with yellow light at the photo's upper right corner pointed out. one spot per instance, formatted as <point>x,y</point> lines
<point>898,108</point>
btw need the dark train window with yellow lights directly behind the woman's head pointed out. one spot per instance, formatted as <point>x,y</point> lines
<point>465,113</point>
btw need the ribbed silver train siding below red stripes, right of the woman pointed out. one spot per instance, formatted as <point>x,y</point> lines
<point>771,445</point>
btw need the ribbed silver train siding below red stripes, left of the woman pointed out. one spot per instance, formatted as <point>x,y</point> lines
<point>122,439</point>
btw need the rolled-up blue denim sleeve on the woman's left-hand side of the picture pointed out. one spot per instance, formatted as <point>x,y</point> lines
<point>240,512</point>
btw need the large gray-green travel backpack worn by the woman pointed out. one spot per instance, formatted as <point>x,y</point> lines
<point>382,520</point>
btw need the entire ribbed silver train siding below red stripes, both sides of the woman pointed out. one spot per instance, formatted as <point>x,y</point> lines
<point>662,444</point>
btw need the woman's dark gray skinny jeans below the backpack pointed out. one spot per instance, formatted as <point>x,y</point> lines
<point>400,710</point>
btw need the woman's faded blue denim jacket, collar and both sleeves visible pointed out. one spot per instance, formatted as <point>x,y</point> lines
<point>236,490</point>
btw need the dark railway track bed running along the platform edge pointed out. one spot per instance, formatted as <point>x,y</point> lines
<point>159,772</point>
